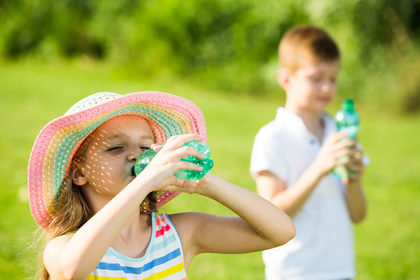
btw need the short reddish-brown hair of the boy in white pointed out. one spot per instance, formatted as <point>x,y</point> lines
<point>306,42</point>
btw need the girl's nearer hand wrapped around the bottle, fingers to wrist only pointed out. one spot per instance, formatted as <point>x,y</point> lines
<point>159,173</point>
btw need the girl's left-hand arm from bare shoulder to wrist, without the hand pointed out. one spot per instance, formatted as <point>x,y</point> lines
<point>77,256</point>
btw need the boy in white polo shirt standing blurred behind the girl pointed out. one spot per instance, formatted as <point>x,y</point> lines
<point>293,158</point>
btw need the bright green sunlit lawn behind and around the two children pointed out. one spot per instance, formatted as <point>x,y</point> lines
<point>387,242</point>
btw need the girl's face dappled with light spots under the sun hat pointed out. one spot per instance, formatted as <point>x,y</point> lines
<point>112,151</point>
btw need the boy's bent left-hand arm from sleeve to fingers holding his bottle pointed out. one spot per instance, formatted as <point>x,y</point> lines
<point>292,199</point>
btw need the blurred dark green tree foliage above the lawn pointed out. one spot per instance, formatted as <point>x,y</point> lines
<point>227,44</point>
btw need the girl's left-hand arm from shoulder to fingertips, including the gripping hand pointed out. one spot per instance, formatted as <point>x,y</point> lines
<point>75,257</point>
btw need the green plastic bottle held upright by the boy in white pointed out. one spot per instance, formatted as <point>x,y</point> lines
<point>347,120</point>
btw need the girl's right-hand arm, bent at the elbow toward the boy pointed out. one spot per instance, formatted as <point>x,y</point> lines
<point>260,225</point>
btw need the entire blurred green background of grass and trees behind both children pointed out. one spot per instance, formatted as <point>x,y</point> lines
<point>222,55</point>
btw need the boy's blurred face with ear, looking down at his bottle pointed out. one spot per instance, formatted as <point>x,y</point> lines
<point>312,86</point>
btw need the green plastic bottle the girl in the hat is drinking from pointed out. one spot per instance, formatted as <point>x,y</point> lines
<point>190,175</point>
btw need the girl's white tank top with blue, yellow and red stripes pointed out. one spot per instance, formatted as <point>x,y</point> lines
<point>163,259</point>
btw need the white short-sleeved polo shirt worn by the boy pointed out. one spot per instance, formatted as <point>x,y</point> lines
<point>323,245</point>
